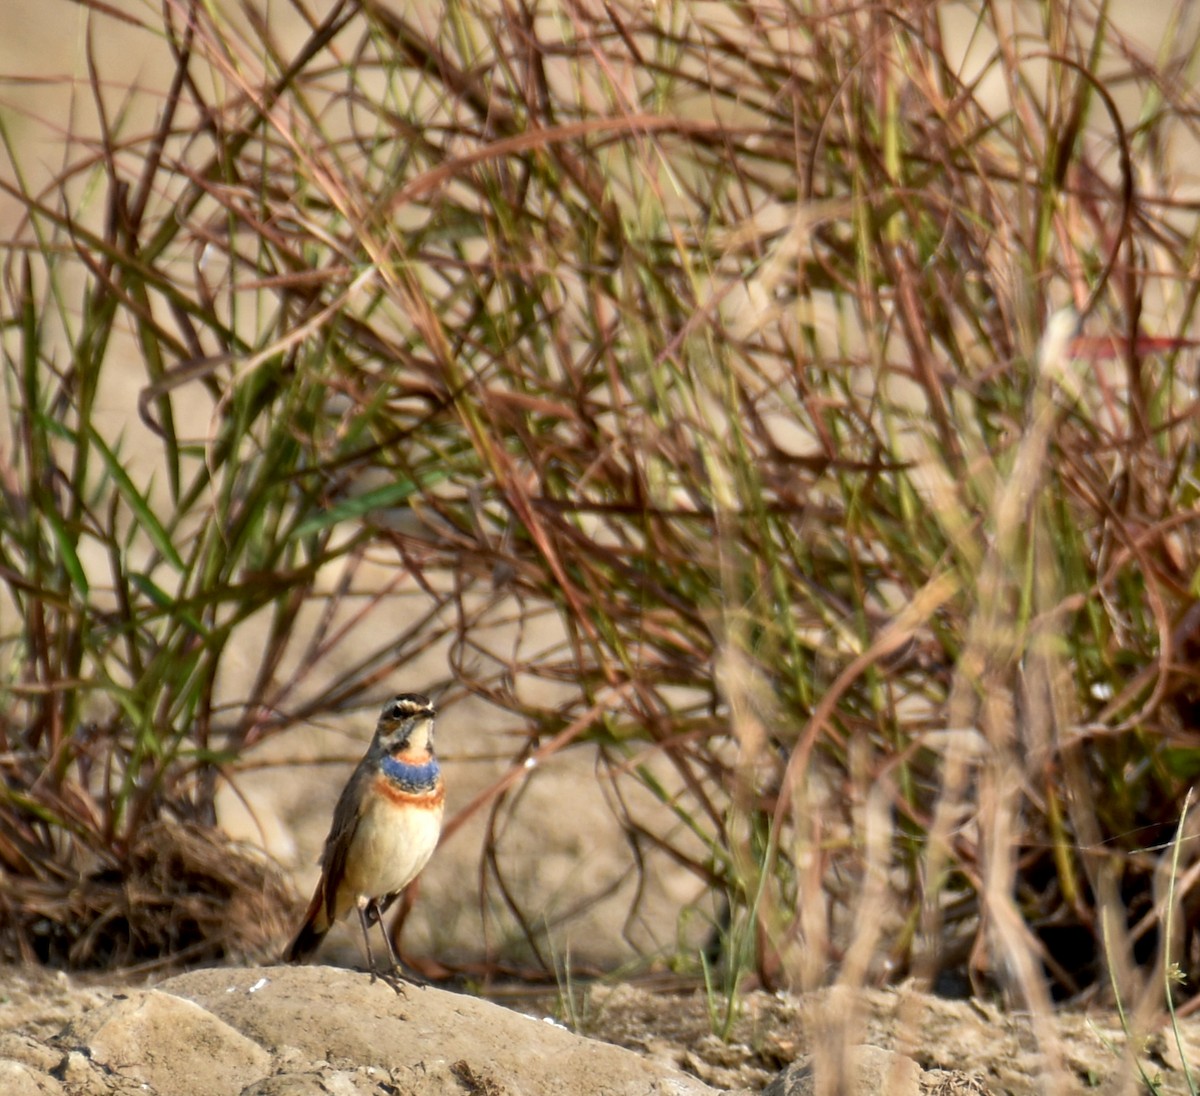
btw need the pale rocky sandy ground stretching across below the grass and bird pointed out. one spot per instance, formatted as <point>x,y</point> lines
<point>333,1027</point>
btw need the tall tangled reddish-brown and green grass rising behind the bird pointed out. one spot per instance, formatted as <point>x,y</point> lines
<point>790,404</point>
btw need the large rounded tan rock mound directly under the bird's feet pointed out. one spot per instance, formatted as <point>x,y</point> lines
<point>314,1032</point>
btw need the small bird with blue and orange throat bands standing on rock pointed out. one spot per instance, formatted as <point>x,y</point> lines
<point>386,828</point>
